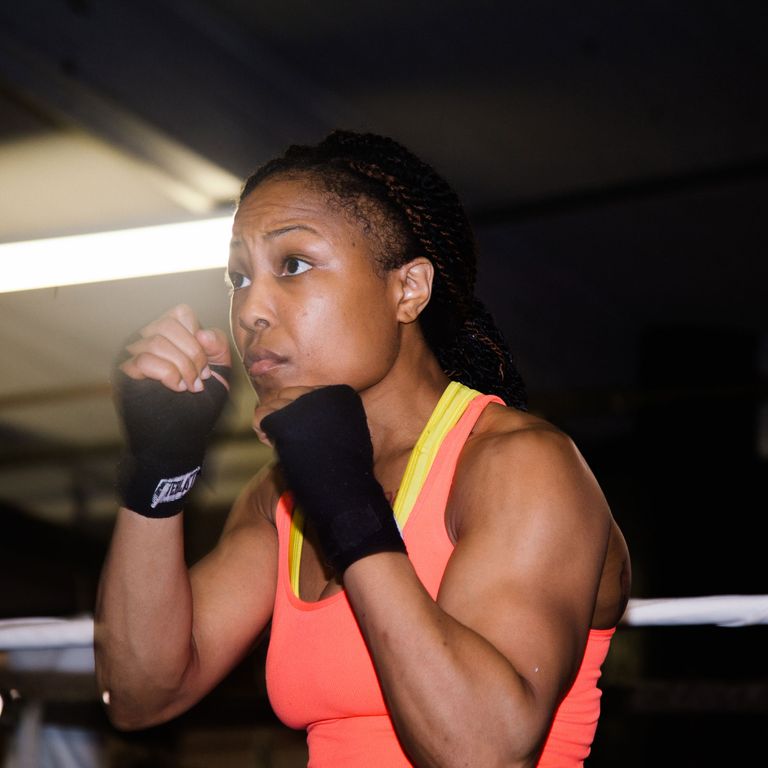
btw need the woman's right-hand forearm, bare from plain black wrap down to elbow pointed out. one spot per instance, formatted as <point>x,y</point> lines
<point>454,698</point>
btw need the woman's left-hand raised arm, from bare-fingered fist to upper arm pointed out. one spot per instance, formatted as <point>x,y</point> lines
<point>165,636</point>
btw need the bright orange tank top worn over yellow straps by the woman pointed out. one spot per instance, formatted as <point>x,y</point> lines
<point>320,675</point>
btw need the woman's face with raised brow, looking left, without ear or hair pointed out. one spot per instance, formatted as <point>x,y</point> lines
<point>308,307</point>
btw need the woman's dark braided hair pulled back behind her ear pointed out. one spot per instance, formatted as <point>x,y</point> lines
<point>408,210</point>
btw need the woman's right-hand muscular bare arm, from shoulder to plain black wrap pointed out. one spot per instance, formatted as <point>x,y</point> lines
<point>474,678</point>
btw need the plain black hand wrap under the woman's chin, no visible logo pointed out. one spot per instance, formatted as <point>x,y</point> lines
<point>325,450</point>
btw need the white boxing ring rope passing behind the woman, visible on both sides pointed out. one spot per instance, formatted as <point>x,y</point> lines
<point>721,610</point>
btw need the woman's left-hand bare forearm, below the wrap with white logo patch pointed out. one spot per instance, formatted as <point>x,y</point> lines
<point>143,635</point>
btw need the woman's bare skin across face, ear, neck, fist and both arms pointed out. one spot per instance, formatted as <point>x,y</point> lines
<point>538,559</point>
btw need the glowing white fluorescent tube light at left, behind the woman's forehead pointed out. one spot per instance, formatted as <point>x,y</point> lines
<point>94,258</point>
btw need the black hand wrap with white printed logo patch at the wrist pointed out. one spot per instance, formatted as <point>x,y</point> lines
<point>166,434</point>
